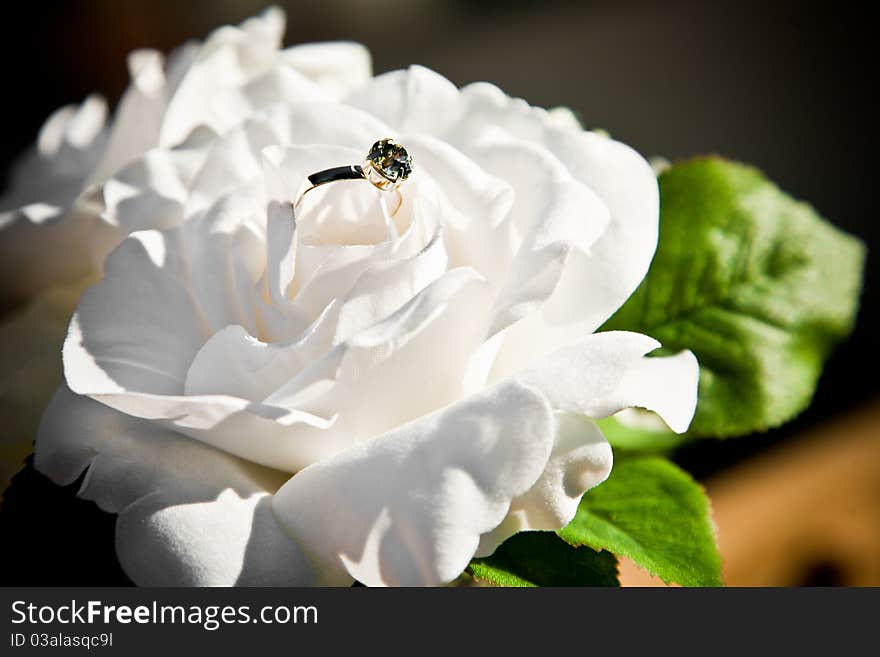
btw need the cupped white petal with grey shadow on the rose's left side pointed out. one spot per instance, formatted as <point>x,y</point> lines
<point>163,294</point>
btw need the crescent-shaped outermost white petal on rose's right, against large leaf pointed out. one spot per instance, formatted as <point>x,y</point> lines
<point>596,285</point>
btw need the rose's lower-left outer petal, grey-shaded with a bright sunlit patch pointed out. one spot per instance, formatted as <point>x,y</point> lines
<point>188,514</point>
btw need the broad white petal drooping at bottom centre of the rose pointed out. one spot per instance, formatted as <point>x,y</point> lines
<point>408,508</point>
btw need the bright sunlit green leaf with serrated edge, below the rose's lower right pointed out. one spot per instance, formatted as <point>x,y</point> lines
<point>652,512</point>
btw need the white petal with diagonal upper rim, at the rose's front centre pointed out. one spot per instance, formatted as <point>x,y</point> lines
<point>368,387</point>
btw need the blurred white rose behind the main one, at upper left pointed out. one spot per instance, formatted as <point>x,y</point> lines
<point>54,227</point>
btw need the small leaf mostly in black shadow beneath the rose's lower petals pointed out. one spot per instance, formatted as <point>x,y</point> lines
<point>542,559</point>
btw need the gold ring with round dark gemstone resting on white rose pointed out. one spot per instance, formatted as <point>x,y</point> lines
<point>386,166</point>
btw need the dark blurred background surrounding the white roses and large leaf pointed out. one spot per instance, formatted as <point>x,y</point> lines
<point>785,86</point>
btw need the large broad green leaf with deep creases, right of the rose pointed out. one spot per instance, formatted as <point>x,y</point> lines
<point>756,284</point>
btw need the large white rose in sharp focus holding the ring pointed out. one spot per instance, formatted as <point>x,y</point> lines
<point>337,392</point>
